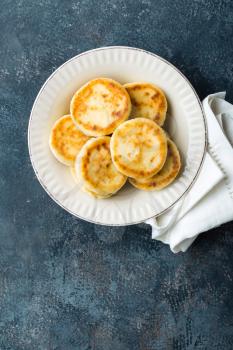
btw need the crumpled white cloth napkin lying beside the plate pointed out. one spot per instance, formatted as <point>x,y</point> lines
<point>209,203</point>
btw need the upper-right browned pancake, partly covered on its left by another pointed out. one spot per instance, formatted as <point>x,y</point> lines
<point>148,101</point>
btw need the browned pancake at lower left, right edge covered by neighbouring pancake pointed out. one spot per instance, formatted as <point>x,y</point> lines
<point>96,168</point>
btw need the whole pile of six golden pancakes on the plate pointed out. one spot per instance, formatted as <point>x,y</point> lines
<point>114,132</point>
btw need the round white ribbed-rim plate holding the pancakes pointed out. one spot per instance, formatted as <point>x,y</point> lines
<point>185,123</point>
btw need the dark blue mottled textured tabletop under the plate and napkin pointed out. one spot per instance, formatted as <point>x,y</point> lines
<point>66,284</point>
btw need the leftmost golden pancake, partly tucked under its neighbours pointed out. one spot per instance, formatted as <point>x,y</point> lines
<point>66,140</point>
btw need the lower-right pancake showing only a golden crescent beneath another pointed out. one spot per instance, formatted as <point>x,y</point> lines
<point>166,175</point>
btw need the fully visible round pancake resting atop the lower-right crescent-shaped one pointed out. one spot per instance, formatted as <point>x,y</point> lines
<point>139,148</point>
